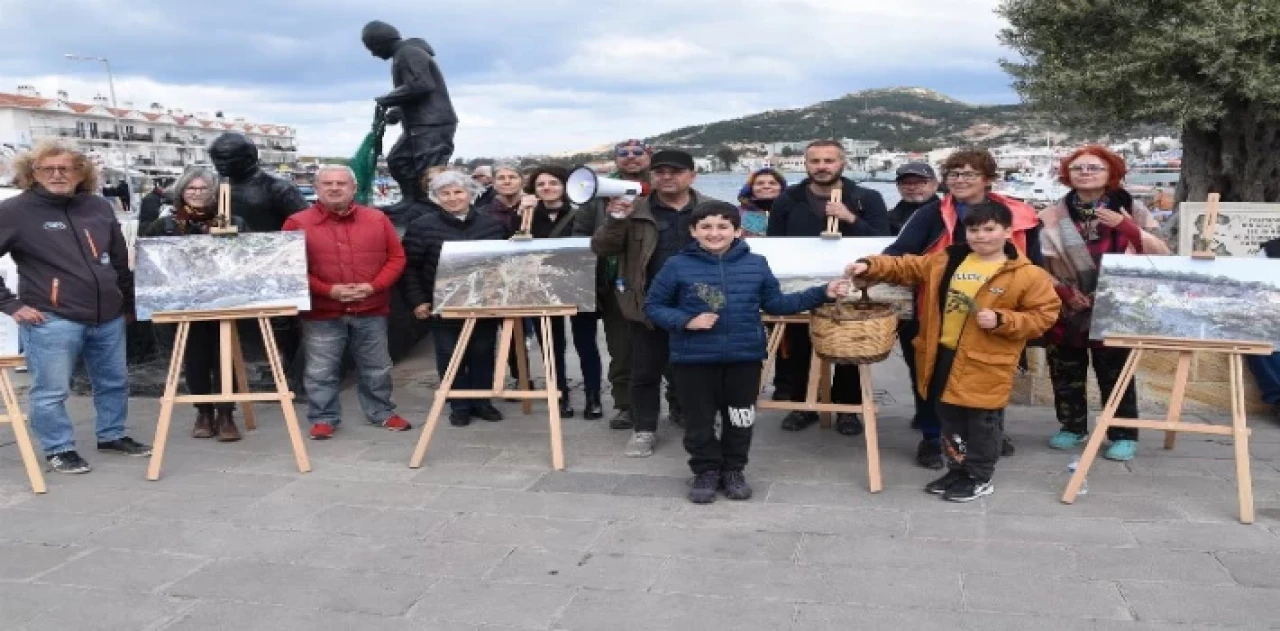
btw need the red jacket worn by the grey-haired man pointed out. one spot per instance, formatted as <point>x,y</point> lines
<point>358,248</point>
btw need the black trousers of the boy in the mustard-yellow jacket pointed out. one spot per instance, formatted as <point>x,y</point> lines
<point>971,437</point>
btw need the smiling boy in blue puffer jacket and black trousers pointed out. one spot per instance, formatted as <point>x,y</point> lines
<point>710,298</point>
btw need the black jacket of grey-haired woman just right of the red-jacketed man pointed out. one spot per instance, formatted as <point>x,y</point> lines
<point>423,244</point>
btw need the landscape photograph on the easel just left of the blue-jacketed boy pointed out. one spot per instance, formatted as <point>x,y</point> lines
<point>516,275</point>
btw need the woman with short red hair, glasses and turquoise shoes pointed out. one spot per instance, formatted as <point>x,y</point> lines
<point>1098,217</point>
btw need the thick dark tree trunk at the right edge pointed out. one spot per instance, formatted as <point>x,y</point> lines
<point>1240,159</point>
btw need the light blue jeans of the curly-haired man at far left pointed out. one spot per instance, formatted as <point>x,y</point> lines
<point>53,349</point>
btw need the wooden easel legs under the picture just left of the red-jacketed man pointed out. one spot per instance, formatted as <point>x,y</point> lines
<point>232,365</point>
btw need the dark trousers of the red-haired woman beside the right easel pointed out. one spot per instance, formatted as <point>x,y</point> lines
<point>1069,371</point>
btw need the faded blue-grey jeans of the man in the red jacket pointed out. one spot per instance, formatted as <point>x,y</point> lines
<point>326,342</point>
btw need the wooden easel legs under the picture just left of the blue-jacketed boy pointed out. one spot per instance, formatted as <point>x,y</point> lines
<point>511,324</point>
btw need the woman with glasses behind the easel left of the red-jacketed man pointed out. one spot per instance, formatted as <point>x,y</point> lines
<point>195,212</point>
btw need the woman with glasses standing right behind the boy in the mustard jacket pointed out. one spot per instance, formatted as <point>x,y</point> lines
<point>938,226</point>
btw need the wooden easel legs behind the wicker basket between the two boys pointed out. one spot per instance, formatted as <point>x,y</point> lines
<point>819,396</point>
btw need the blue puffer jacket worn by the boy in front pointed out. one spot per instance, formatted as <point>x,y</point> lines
<point>692,281</point>
